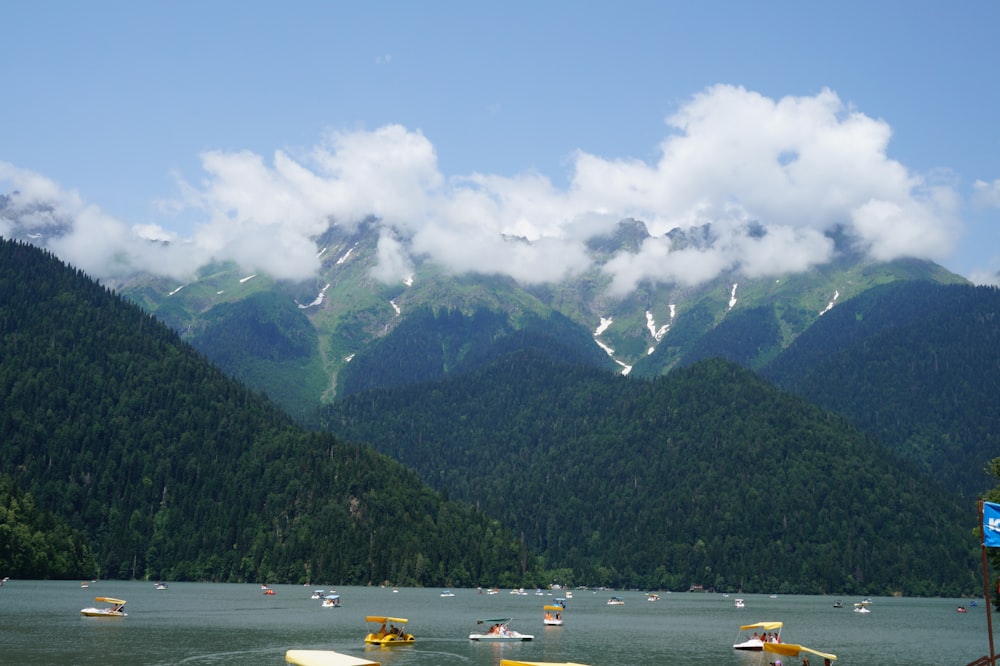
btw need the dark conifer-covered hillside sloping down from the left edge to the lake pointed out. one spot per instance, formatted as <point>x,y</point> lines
<point>171,470</point>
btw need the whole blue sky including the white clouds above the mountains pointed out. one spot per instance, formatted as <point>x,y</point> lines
<point>242,128</point>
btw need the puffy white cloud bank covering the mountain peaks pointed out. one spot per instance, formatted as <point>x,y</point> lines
<point>796,167</point>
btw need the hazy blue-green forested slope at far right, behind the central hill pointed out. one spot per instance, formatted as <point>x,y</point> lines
<point>915,365</point>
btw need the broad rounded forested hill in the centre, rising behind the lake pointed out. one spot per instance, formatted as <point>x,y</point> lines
<point>709,476</point>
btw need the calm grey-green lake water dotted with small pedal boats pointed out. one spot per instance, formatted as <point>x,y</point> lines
<point>204,623</point>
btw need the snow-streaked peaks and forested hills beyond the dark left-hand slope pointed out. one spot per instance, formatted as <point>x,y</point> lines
<point>603,432</point>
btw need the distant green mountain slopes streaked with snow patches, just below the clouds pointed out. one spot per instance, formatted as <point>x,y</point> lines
<point>355,317</point>
